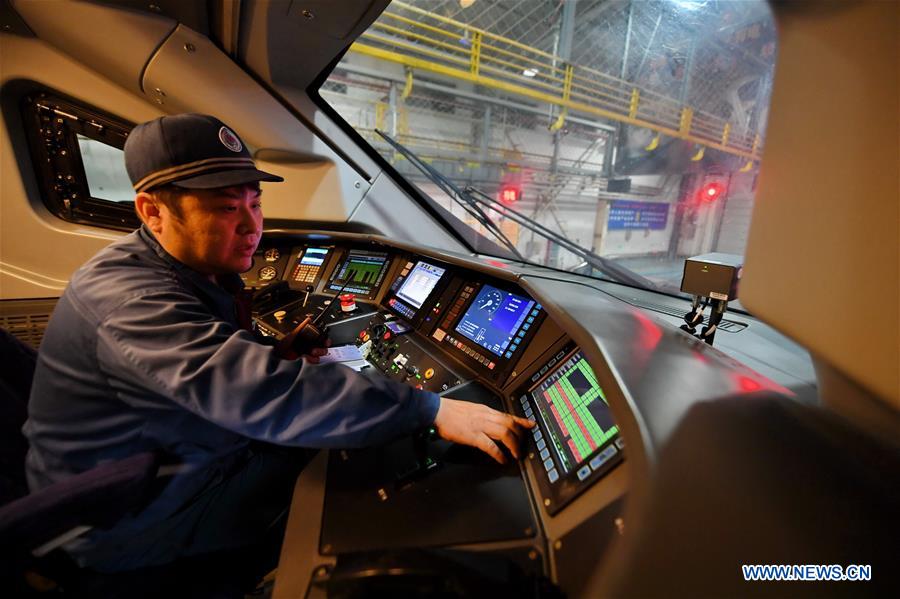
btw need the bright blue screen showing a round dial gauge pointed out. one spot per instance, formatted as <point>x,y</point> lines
<point>493,319</point>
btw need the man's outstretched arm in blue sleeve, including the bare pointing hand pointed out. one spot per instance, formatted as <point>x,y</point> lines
<point>166,343</point>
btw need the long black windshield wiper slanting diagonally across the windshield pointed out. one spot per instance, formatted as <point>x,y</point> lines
<point>472,200</point>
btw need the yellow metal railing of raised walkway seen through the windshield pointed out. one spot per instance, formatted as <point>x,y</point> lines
<point>429,42</point>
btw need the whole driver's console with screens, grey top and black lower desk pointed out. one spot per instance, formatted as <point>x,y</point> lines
<point>591,363</point>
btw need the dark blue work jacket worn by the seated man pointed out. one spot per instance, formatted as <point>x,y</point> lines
<point>143,353</point>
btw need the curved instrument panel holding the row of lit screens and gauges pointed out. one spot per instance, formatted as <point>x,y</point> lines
<point>436,326</point>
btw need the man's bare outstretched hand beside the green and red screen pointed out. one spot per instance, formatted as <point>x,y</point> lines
<point>476,425</point>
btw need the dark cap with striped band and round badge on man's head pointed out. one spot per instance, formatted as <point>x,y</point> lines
<point>194,151</point>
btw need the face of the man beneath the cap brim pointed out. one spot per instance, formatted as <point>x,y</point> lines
<point>217,231</point>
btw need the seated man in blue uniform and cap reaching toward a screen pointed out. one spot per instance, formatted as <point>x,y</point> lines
<point>146,351</point>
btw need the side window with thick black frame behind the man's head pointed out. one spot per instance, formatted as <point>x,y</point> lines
<point>79,162</point>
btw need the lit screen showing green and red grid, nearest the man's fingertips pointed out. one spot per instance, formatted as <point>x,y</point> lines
<point>574,412</point>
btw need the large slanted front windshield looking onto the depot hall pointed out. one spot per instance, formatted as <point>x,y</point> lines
<point>610,138</point>
